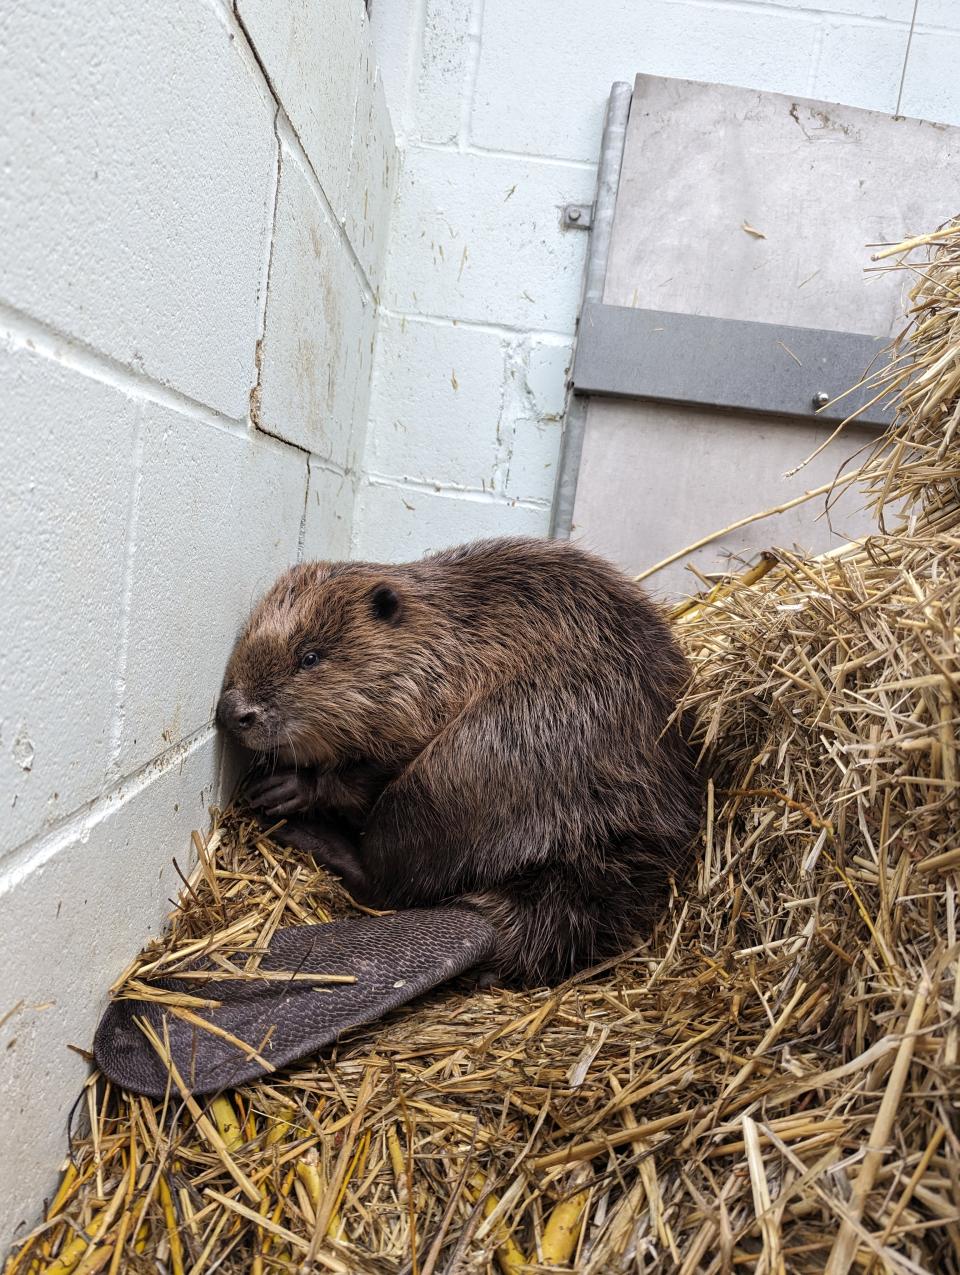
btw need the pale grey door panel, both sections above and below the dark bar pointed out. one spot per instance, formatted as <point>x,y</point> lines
<point>706,168</point>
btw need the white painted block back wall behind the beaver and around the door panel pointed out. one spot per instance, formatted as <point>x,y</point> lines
<point>499,108</point>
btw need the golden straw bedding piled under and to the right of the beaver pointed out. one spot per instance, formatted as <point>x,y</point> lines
<point>769,1084</point>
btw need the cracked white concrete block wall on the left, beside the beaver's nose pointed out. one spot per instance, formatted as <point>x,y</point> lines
<point>194,215</point>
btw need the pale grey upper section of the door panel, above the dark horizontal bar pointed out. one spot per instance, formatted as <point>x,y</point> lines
<point>819,182</point>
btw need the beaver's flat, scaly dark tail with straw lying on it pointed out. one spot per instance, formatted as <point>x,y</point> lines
<point>262,1024</point>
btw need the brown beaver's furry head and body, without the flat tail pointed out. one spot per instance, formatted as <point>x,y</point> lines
<point>493,726</point>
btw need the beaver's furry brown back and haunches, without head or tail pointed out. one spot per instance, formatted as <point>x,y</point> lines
<point>558,789</point>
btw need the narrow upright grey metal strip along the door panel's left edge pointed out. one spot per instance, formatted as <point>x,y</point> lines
<point>572,444</point>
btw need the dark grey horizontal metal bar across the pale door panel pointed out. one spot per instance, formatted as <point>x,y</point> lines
<point>771,369</point>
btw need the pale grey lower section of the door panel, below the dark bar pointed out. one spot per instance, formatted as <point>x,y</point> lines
<point>655,479</point>
